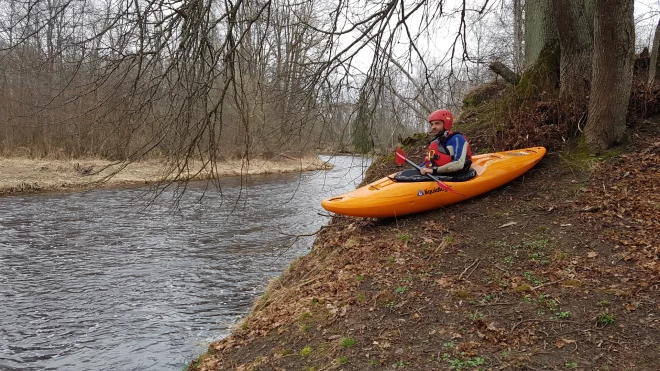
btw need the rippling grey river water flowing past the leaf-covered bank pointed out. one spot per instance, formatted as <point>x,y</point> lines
<point>101,280</point>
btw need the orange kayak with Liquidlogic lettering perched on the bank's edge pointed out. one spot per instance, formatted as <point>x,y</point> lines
<point>394,196</point>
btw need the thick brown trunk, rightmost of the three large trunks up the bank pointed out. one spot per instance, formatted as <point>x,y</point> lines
<point>614,43</point>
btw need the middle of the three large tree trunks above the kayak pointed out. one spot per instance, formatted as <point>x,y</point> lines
<point>575,28</point>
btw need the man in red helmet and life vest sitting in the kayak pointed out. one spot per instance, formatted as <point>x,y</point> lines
<point>449,152</point>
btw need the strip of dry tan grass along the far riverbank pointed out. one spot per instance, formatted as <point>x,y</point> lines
<point>24,175</point>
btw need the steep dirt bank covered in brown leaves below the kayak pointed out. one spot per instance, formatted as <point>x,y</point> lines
<point>557,270</point>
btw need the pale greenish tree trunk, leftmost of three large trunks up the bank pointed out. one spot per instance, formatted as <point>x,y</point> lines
<point>540,29</point>
